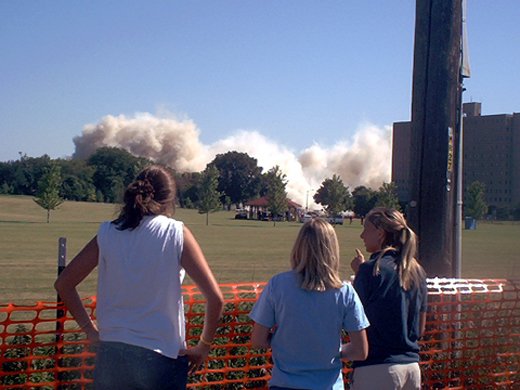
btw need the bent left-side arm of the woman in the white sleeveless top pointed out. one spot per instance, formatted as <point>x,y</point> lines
<point>73,274</point>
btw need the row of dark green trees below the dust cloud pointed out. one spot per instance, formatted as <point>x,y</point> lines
<point>230,179</point>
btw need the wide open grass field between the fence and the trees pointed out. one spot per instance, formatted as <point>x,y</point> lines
<point>237,250</point>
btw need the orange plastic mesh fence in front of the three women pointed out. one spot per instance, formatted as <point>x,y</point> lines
<point>472,340</point>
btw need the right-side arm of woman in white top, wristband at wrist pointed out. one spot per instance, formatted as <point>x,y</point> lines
<point>195,264</point>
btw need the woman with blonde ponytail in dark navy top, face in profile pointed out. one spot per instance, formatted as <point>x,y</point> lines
<point>392,287</point>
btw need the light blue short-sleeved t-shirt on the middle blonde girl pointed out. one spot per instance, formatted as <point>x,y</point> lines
<point>307,341</point>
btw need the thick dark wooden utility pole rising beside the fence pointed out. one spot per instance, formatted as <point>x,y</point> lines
<point>435,102</point>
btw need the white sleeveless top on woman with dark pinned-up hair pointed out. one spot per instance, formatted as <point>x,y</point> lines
<point>139,300</point>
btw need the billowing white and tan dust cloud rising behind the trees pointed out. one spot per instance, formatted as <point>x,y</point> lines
<point>364,160</point>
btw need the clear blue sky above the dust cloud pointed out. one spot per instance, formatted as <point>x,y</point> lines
<point>297,72</point>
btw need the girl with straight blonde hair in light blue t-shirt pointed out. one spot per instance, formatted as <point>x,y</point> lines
<point>302,312</point>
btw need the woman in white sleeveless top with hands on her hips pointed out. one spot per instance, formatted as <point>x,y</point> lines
<point>141,258</point>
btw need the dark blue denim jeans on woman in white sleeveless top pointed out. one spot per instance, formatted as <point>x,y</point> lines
<point>124,366</point>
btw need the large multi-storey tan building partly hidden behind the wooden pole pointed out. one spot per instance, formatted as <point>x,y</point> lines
<point>491,156</point>
